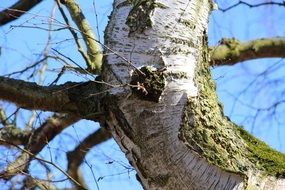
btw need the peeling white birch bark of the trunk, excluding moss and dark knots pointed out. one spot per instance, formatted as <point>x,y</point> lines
<point>148,132</point>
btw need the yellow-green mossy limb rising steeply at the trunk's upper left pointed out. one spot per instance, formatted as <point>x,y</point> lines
<point>94,53</point>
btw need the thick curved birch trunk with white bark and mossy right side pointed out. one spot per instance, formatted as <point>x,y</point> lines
<point>166,116</point>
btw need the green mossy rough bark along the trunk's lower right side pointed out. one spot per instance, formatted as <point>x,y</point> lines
<point>220,141</point>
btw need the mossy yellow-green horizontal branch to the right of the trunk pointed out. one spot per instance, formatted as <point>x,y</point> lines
<point>232,51</point>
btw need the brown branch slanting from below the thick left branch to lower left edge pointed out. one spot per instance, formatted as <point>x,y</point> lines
<point>38,140</point>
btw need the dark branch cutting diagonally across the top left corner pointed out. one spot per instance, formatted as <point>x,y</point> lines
<point>17,10</point>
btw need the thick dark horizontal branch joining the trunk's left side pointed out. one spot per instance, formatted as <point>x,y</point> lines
<point>67,98</point>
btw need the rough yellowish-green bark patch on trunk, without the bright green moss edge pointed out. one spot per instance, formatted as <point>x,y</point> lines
<point>210,133</point>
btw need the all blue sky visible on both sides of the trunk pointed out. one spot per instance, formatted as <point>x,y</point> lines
<point>22,46</point>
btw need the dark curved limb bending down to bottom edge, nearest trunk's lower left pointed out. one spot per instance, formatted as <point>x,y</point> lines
<point>76,157</point>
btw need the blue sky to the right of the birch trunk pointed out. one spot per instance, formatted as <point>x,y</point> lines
<point>263,88</point>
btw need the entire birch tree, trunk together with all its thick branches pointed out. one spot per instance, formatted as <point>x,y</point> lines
<point>152,92</point>
